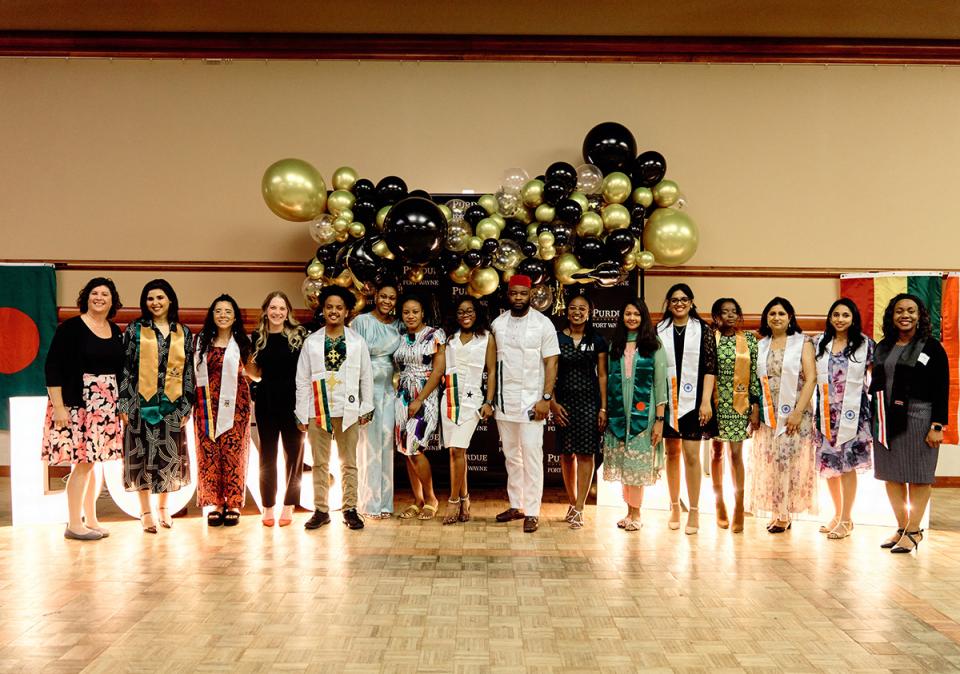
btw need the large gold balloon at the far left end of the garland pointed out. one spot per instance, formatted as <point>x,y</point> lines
<point>294,190</point>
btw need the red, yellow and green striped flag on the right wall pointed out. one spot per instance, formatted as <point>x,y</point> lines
<point>872,293</point>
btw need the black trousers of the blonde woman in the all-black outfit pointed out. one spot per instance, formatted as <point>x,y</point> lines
<point>271,426</point>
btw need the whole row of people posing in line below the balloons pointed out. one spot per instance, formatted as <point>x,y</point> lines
<point>832,406</point>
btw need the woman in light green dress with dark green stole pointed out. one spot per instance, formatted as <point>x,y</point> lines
<point>636,402</point>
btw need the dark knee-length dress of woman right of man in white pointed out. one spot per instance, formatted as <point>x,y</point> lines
<point>578,390</point>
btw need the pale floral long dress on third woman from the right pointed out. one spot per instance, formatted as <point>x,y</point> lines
<point>782,474</point>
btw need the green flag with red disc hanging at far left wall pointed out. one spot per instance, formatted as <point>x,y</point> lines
<point>28,319</point>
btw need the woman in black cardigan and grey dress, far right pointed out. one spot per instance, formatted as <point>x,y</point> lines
<point>911,381</point>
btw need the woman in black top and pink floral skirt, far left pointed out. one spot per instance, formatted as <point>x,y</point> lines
<point>82,427</point>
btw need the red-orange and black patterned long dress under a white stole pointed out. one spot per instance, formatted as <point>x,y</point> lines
<point>222,463</point>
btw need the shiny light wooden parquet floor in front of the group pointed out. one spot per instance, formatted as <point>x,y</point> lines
<point>481,597</point>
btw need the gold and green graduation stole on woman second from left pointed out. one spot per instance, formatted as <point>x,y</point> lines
<point>154,405</point>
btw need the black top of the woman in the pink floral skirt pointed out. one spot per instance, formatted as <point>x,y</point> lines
<point>76,351</point>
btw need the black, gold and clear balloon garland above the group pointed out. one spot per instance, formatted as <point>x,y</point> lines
<point>590,224</point>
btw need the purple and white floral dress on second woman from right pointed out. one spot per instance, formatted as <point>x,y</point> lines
<point>855,454</point>
